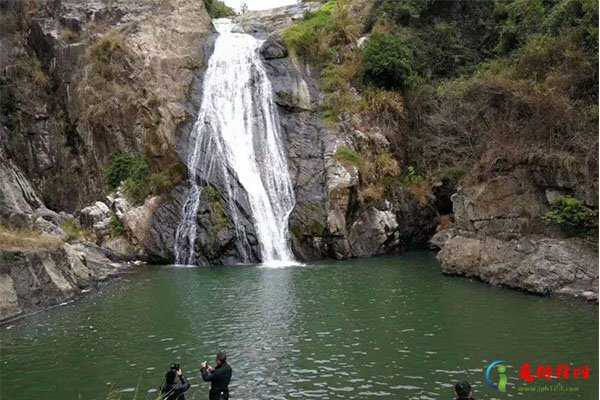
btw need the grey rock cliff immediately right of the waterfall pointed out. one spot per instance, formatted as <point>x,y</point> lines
<point>330,220</point>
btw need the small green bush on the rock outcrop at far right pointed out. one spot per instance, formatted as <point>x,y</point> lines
<point>572,215</point>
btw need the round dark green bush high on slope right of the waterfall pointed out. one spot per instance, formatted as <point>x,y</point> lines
<point>387,63</point>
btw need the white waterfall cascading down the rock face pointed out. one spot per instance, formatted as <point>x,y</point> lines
<point>237,137</point>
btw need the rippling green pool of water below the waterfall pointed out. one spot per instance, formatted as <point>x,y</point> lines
<point>390,327</point>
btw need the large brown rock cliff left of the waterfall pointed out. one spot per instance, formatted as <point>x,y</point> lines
<point>81,81</point>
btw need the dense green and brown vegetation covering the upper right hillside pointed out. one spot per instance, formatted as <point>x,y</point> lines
<point>475,86</point>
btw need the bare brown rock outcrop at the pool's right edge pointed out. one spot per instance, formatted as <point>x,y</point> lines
<point>499,238</point>
